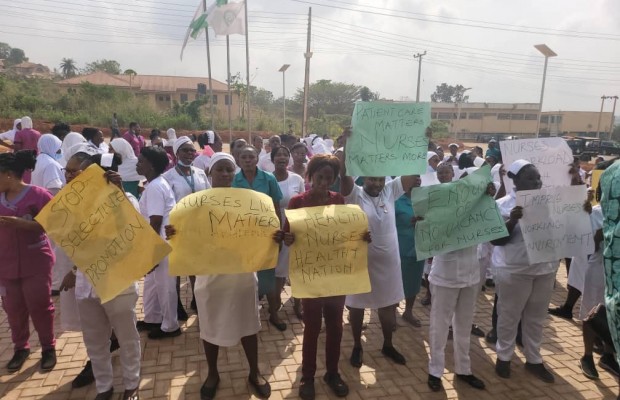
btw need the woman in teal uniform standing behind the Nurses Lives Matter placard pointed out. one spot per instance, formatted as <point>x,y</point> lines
<point>252,177</point>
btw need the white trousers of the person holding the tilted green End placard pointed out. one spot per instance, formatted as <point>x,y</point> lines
<point>456,306</point>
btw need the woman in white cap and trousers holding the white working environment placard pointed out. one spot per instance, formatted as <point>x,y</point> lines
<point>524,290</point>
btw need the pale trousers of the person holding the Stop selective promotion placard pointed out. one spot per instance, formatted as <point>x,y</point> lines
<point>98,320</point>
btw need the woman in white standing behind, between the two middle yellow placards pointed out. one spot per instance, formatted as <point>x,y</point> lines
<point>291,185</point>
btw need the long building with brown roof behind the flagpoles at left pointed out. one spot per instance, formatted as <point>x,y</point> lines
<point>162,90</point>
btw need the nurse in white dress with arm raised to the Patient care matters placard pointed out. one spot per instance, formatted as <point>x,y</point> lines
<point>377,199</point>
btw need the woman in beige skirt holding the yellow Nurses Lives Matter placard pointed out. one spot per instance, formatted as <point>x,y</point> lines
<point>227,304</point>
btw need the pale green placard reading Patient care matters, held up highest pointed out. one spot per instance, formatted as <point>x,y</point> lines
<point>388,139</point>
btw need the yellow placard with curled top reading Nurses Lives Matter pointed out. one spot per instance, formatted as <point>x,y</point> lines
<point>223,231</point>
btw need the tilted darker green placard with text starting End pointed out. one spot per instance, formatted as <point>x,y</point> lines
<point>456,215</point>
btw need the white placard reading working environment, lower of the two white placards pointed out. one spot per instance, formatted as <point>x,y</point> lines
<point>554,224</point>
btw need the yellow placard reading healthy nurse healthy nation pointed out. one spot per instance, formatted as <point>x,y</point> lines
<point>329,256</point>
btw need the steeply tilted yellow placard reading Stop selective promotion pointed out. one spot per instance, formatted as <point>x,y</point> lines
<point>102,233</point>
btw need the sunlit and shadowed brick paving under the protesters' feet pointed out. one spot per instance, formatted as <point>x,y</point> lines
<point>175,368</point>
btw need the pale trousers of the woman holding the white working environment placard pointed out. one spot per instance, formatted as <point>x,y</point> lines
<point>525,298</point>
